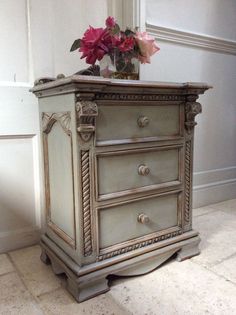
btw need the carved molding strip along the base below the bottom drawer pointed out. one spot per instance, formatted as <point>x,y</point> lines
<point>139,245</point>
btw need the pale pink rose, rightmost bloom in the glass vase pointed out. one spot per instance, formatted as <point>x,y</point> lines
<point>147,46</point>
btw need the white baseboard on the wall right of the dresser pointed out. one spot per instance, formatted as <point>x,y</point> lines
<point>214,186</point>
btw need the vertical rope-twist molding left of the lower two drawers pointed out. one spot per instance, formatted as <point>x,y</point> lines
<point>87,229</point>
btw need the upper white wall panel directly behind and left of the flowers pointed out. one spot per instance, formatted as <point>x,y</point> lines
<point>54,27</point>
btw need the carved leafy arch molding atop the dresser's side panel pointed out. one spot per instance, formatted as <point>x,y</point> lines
<point>49,119</point>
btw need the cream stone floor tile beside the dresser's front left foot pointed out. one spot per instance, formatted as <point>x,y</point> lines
<point>38,277</point>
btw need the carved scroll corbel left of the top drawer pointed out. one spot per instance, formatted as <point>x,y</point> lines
<point>86,115</point>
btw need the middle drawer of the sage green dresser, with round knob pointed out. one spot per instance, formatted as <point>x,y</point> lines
<point>131,171</point>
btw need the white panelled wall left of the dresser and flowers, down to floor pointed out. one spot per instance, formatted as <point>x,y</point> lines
<point>36,36</point>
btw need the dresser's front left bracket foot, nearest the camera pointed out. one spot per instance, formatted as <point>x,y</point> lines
<point>82,292</point>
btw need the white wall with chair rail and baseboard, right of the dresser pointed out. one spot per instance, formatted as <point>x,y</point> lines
<point>211,58</point>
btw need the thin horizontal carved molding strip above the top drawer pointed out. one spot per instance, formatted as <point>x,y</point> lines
<point>139,97</point>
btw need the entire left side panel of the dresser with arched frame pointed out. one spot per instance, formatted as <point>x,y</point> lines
<point>59,139</point>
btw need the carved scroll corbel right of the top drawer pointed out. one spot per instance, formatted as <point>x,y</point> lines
<point>192,109</point>
